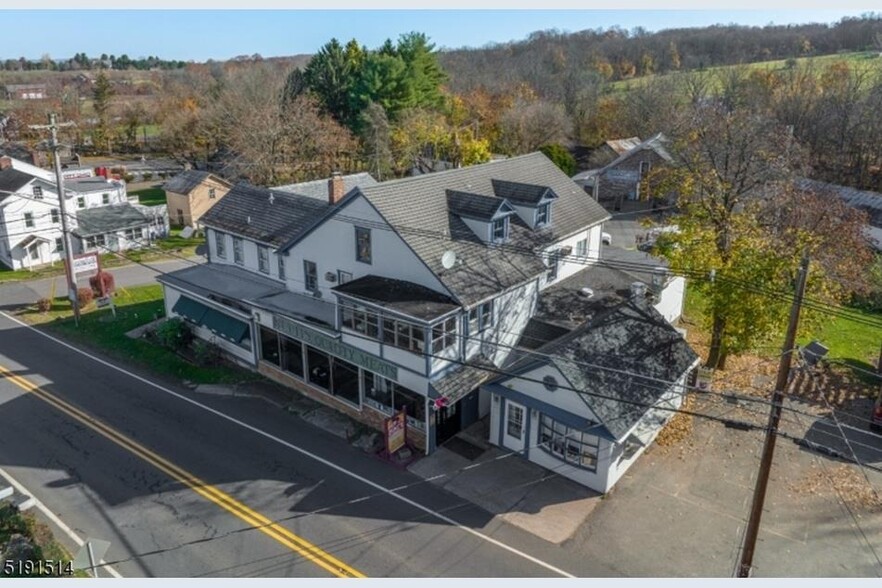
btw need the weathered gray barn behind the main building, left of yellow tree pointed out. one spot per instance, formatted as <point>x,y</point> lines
<point>620,179</point>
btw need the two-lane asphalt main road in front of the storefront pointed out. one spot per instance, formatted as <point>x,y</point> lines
<point>85,443</point>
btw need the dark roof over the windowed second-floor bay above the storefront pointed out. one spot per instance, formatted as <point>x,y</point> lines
<point>405,297</point>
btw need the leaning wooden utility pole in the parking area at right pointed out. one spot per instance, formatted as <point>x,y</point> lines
<point>762,479</point>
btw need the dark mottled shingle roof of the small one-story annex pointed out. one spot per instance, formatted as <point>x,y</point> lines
<point>633,339</point>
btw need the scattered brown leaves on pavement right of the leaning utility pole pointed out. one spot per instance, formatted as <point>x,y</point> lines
<point>843,481</point>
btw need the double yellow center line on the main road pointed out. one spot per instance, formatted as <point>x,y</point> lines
<point>282,535</point>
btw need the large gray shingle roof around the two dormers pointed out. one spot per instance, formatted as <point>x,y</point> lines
<point>417,209</point>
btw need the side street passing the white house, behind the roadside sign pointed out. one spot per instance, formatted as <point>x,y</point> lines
<point>15,294</point>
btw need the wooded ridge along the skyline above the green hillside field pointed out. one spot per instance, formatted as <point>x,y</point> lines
<point>546,60</point>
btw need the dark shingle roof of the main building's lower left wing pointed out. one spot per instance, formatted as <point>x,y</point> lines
<point>246,210</point>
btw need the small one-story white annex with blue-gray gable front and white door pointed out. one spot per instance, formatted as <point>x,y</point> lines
<point>587,403</point>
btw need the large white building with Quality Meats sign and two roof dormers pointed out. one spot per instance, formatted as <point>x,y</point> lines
<point>405,294</point>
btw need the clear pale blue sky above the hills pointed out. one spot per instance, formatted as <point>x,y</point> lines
<point>199,35</point>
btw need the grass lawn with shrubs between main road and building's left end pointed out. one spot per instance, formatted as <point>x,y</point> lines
<point>134,307</point>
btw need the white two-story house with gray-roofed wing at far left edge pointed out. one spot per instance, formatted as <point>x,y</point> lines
<point>30,215</point>
